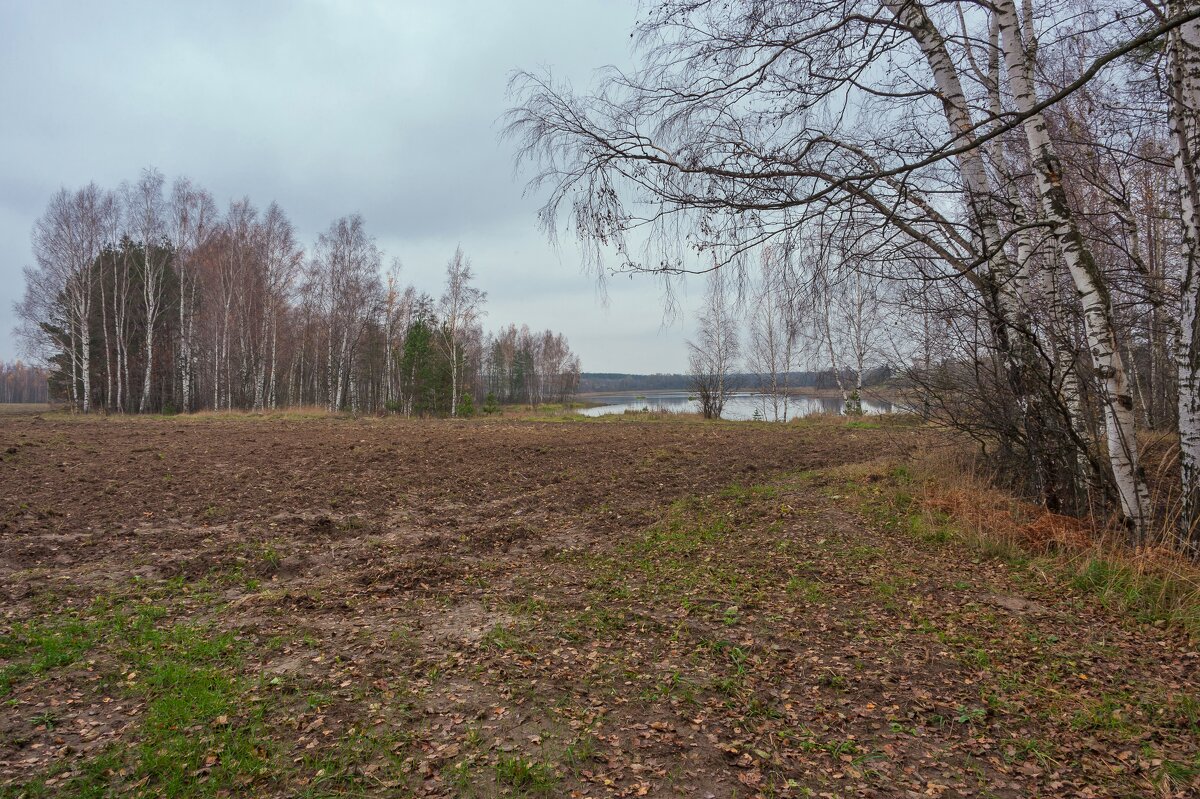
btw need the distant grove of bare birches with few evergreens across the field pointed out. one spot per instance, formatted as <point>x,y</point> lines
<point>149,298</point>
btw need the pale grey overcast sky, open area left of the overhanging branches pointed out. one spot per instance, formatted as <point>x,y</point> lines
<point>389,110</point>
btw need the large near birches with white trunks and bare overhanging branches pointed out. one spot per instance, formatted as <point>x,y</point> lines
<point>1022,176</point>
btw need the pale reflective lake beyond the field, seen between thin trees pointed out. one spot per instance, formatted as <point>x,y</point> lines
<point>739,407</point>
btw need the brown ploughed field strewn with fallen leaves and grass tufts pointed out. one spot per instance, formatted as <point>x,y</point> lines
<point>359,608</point>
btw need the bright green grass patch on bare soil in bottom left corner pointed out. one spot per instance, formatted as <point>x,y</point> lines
<point>200,734</point>
